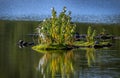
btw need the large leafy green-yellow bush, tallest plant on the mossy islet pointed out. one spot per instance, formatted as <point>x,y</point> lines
<point>57,29</point>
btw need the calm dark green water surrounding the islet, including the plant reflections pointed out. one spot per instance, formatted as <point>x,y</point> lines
<point>78,63</point>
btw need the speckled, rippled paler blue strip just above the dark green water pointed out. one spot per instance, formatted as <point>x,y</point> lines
<point>75,18</point>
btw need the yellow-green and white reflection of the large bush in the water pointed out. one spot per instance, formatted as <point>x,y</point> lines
<point>56,63</point>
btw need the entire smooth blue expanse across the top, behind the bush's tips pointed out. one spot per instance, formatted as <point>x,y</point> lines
<point>39,9</point>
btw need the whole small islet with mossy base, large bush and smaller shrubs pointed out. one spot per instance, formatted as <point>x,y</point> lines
<point>59,33</point>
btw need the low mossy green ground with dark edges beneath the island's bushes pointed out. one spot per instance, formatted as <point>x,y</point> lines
<point>55,47</point>
